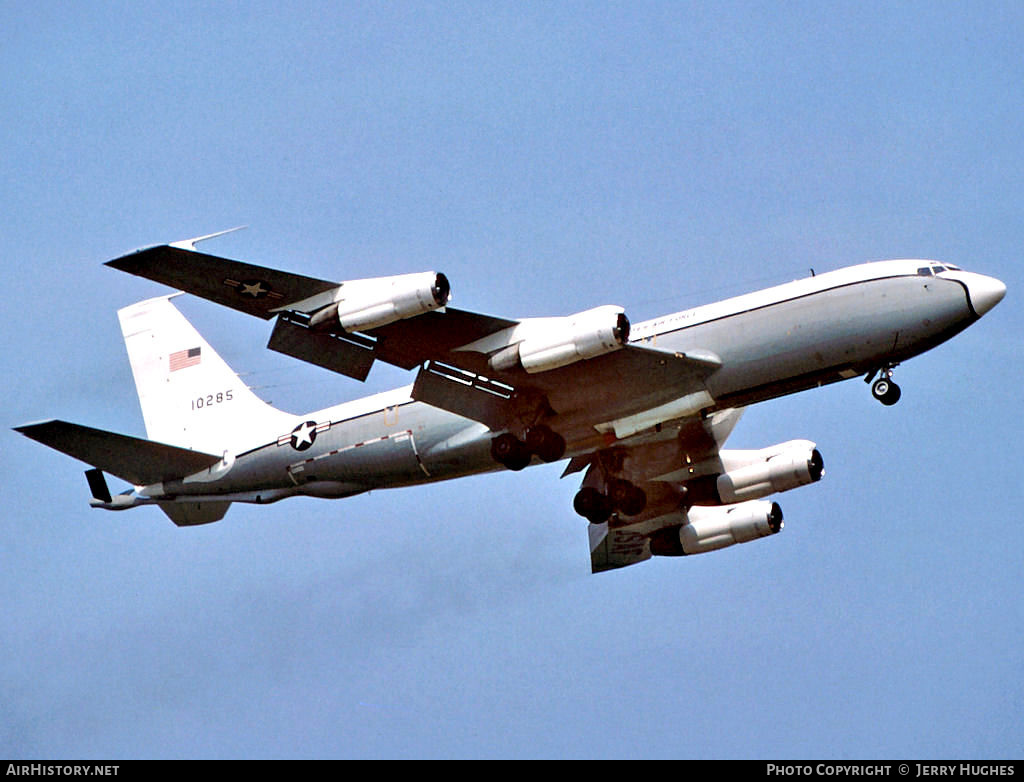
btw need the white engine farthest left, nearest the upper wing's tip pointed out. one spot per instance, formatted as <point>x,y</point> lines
<point>366,305</point>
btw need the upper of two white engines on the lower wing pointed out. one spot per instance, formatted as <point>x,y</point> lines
<point>751,475</point>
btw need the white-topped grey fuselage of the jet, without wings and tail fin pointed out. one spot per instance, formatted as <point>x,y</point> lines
<point>794,337</point>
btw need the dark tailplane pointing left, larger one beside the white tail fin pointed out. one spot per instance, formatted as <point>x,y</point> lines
<point>137,461</point>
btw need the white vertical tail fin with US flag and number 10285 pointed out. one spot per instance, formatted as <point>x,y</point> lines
<point>190,397</point>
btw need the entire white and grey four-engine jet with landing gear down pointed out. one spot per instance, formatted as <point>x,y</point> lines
<point>643,412</point>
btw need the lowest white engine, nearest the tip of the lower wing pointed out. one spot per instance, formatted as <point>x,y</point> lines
<point>709,530</point>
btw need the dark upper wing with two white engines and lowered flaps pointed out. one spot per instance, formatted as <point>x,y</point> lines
<point>473,365</point>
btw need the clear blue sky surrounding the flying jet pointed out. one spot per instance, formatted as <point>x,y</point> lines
<point>548,158</point>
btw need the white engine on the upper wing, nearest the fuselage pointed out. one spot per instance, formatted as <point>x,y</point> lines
<point>562,341</point>
